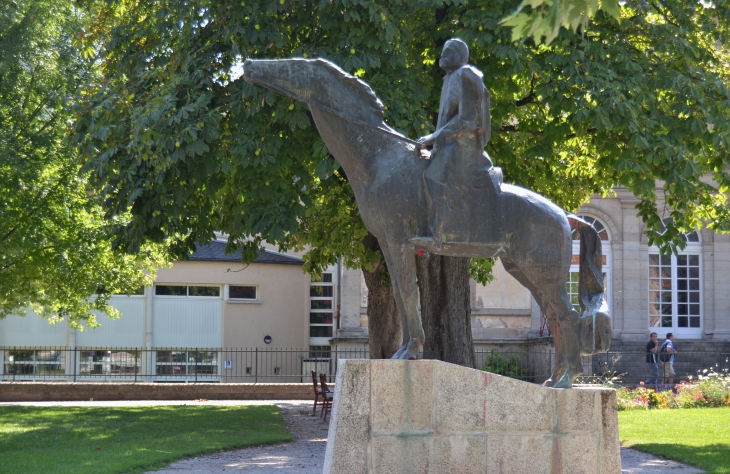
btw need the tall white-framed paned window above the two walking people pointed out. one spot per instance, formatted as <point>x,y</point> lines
<point>675,288</point>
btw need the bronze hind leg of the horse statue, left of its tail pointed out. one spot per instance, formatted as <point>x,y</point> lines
<point>554,301</point>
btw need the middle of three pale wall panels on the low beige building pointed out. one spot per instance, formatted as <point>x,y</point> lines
<point>127,331</point>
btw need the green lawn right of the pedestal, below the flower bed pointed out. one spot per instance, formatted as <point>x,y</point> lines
<point>696,436</point>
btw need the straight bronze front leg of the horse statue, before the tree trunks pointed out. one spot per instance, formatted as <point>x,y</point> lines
<point>401,262</point>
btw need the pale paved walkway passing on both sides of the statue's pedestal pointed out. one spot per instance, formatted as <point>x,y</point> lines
<point>305,454</point>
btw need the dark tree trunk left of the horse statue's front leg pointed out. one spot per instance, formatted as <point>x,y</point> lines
<point>384,324</point>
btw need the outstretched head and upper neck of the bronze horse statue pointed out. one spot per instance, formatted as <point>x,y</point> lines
<point>319,83</point>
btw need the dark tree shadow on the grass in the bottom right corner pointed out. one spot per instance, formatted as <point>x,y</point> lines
<point>714,458</point>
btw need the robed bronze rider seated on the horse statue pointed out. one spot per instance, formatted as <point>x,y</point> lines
<point>458,181</point>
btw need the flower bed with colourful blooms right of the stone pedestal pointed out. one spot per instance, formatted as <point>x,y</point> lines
<point>710,389</point>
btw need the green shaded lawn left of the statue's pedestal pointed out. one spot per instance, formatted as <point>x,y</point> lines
<point>127,439</point>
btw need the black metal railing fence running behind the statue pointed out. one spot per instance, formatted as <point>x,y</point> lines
<point>257,365</point>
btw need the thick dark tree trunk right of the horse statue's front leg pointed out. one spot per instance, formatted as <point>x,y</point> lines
<point>446,309</point>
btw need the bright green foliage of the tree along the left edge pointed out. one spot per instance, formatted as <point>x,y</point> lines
<point>54,252</point>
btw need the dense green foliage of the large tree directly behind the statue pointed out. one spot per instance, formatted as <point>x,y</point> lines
<point>171,134</point>
